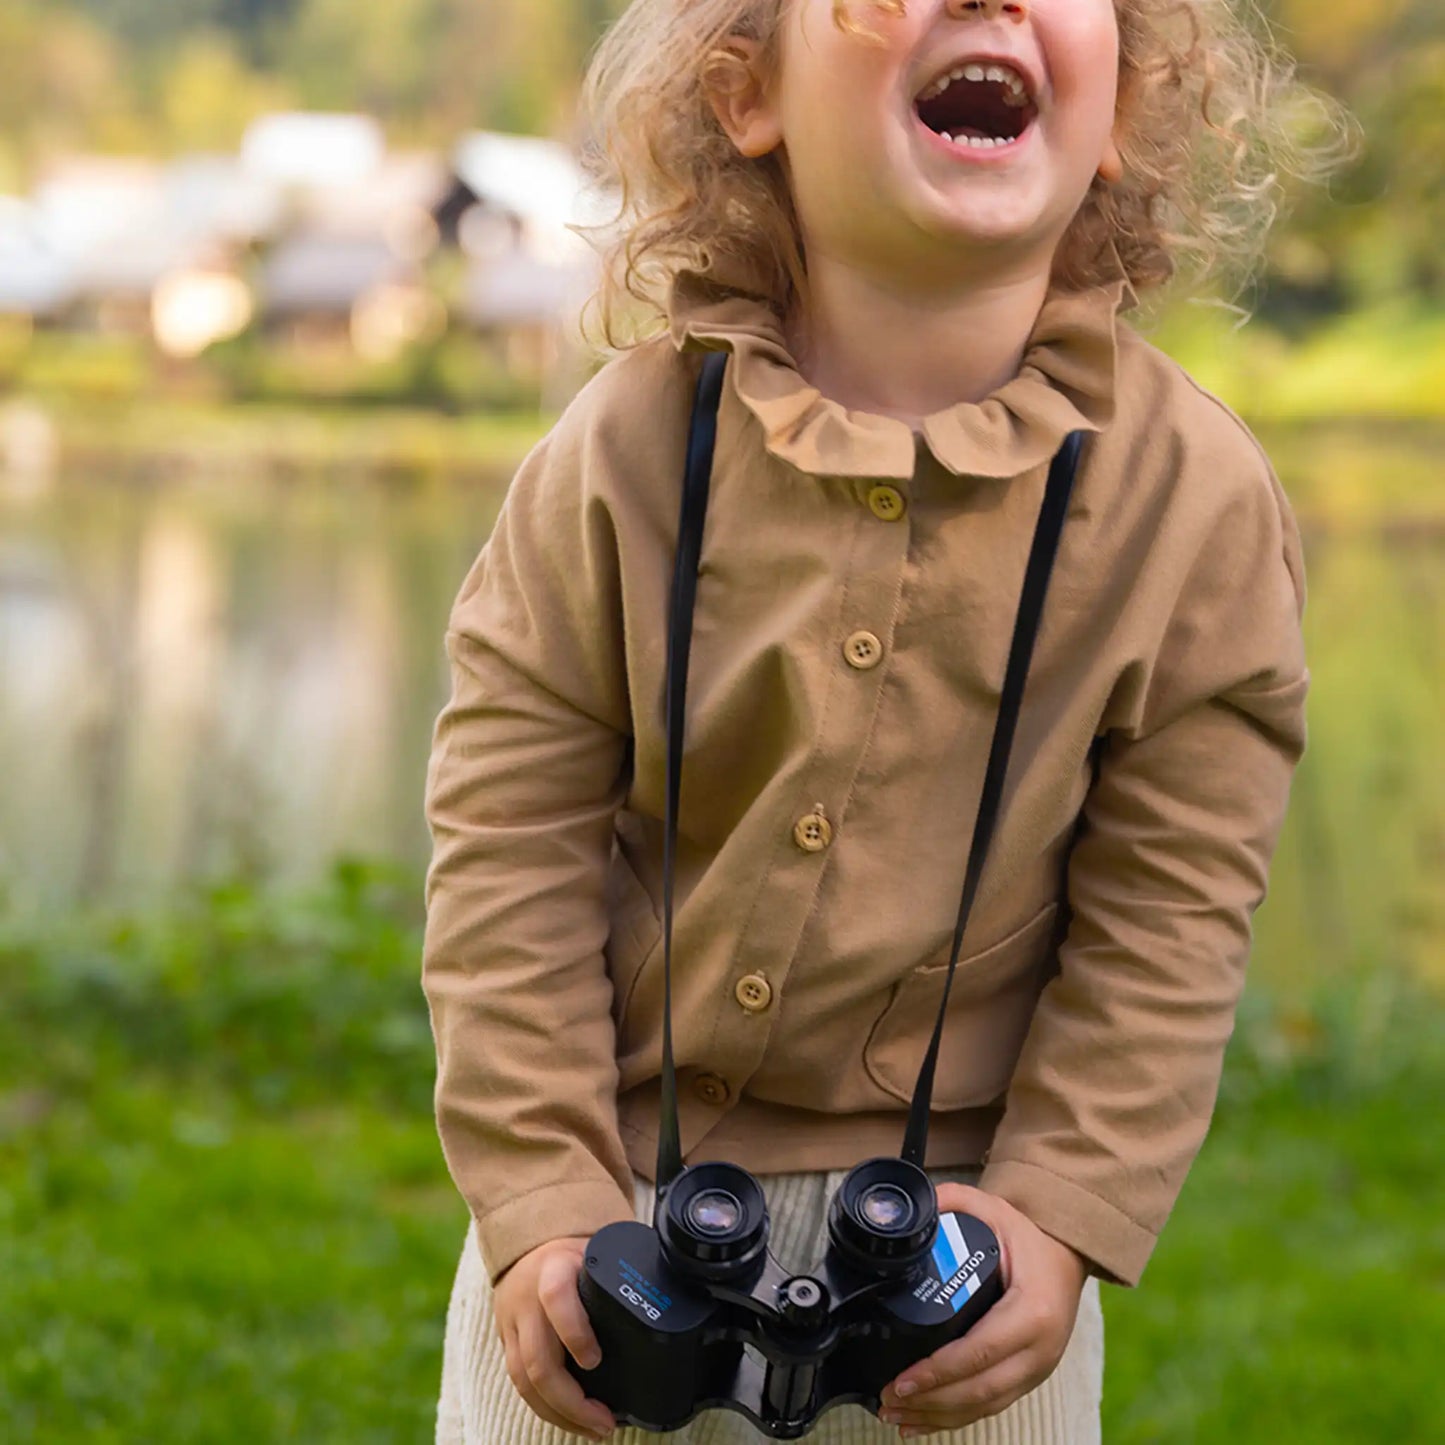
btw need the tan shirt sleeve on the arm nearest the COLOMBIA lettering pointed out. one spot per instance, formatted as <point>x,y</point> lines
<point>1119,1076</point>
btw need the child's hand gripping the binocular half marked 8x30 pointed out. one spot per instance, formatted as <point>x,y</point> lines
<point>538,1313</point>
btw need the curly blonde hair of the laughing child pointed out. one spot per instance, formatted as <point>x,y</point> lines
<point>1210,116</point>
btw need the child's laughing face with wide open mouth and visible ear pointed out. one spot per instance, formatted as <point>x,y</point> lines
<point>878,186</point>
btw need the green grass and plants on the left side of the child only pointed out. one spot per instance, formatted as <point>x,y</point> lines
<point>223,1210</point>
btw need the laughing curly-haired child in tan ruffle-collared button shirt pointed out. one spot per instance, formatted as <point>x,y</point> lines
<point>913,225</point>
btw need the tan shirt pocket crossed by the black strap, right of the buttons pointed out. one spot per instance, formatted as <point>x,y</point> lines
<point>991,1009</point>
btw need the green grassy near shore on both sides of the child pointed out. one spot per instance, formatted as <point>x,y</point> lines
<point>225,1216</point>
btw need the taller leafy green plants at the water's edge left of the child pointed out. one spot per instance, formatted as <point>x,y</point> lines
<point>281,1002</point>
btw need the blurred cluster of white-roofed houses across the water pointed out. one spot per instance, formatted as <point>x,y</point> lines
<point>323,236</point>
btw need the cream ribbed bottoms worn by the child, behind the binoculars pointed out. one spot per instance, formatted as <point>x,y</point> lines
<point>479,1407</point>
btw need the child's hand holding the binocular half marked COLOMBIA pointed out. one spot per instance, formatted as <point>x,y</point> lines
<point>1015,1347</point>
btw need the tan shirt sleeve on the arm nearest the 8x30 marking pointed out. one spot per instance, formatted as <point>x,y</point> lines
<point>528,769</point>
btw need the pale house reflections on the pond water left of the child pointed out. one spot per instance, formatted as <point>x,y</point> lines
<point>194,680</point>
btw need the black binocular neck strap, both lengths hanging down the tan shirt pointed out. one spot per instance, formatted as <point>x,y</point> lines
<point>702,446</point>
